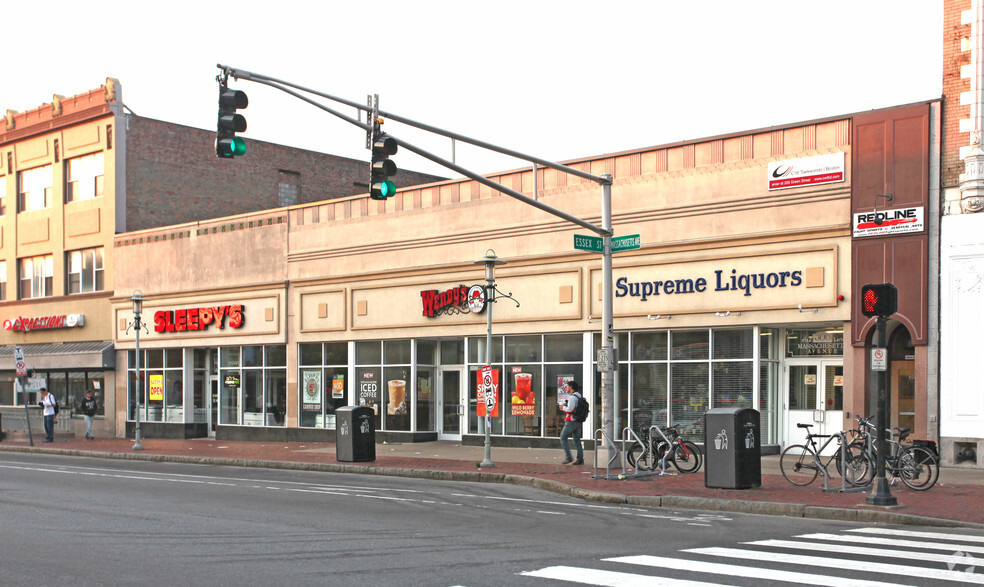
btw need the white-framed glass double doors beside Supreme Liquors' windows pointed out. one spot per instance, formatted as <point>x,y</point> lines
<point>814,395</point>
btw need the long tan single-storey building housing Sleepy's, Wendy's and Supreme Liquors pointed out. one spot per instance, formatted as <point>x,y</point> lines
<point>743,293</point>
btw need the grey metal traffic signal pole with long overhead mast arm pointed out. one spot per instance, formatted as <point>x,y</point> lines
<point>604,231</point>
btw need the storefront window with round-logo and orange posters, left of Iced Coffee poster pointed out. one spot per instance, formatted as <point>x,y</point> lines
<point>323,386</point>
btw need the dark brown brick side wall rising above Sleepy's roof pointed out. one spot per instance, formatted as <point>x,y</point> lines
<point>173,175</point>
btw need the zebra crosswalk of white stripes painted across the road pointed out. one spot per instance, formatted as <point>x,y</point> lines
<point>869,556</point>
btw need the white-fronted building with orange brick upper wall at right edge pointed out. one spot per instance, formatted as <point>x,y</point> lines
<point>962,235</point>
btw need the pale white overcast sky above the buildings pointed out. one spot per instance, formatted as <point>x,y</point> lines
<point>554,79</point>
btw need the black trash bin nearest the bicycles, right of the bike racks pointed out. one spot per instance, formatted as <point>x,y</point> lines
<point>732,448</point>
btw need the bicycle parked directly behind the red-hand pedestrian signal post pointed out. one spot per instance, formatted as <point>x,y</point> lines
<point>916,465</point>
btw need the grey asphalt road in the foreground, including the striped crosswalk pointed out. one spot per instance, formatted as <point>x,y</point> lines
<point>87,521</point>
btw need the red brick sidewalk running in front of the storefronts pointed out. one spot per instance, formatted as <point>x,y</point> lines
<point>954,501</point>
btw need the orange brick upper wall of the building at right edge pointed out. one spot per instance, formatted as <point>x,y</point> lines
<point>953,85</point>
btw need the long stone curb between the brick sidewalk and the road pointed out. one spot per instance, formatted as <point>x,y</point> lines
<point>859,515</point>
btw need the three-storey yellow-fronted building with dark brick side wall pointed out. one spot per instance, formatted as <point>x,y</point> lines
<point>78,171</point>
